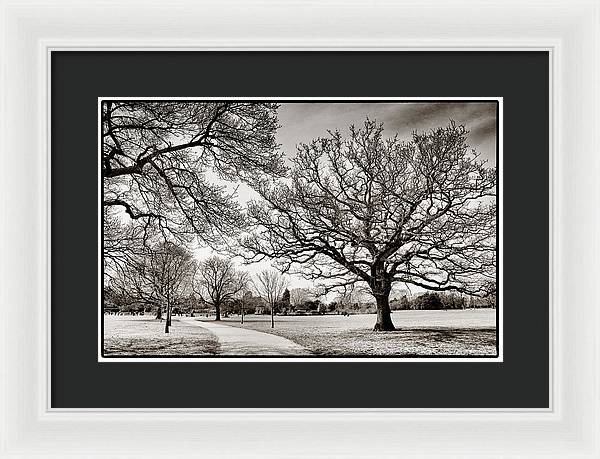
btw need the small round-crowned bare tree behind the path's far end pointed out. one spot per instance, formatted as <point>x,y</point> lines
<point>218,282</point>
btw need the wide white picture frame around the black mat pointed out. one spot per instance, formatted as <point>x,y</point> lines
<point>569,30</point>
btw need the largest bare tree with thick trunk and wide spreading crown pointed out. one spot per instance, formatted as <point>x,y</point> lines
<point>377,211</point>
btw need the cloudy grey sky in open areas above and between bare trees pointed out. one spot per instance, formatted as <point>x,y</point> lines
<point>302,122</point>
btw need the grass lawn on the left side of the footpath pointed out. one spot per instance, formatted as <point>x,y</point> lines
<point>144,335</point>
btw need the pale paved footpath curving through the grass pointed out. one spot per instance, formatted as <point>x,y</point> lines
<point>243,341</point>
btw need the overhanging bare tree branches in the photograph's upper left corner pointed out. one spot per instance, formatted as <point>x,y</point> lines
<point>155,156</point>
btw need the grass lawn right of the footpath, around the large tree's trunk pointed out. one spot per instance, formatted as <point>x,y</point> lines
<point>419,333</point>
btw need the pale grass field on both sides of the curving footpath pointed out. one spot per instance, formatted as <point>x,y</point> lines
<point>470,332</point>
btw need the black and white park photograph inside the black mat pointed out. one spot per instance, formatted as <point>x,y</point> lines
<point>300,228</point>
